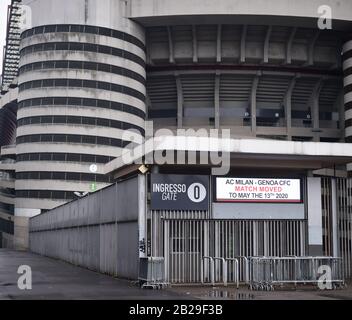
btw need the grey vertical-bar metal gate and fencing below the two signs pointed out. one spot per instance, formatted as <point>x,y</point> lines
<point>184,238</point>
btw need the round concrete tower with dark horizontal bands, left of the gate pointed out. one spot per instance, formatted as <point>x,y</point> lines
<point>81,84</point>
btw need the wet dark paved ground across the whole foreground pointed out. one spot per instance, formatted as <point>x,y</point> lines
<point>54,279</point>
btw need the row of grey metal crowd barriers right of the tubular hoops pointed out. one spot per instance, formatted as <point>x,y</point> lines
<point>266,272</point>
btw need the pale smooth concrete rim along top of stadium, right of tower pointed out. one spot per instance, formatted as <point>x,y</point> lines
<point>299,12</point>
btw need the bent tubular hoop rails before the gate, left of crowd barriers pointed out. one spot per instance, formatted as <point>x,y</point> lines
<point>228,275</point>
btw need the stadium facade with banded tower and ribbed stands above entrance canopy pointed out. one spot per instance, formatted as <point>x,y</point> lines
<point>89,70</point>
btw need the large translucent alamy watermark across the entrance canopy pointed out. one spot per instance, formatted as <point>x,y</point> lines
<point>181,147</point>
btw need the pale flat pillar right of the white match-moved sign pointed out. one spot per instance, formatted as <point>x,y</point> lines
<point>315,228</point>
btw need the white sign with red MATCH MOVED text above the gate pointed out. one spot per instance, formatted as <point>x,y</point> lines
<point>258,190</point>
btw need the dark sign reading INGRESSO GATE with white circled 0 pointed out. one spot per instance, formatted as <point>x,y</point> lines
<point>179,192</point>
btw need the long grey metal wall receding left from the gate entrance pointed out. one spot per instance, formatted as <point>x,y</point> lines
<point>99,232</point>
